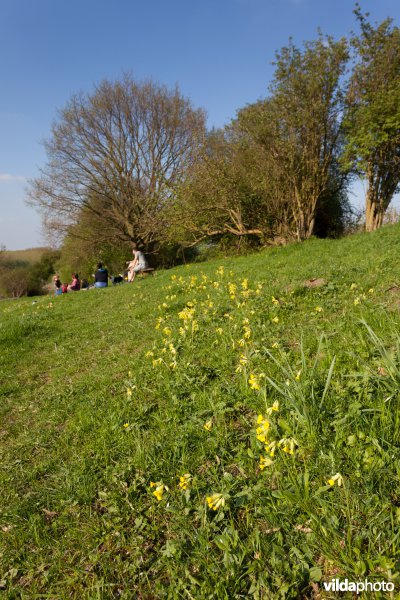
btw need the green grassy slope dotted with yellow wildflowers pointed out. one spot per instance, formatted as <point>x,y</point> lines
<point>216,431</point>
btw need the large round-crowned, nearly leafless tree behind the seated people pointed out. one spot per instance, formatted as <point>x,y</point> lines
<point>118,154</point>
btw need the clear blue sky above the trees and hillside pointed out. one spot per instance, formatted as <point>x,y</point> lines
<point>219,52</point>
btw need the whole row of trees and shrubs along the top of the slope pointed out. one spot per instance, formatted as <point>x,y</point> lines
<point>133,161</point>
